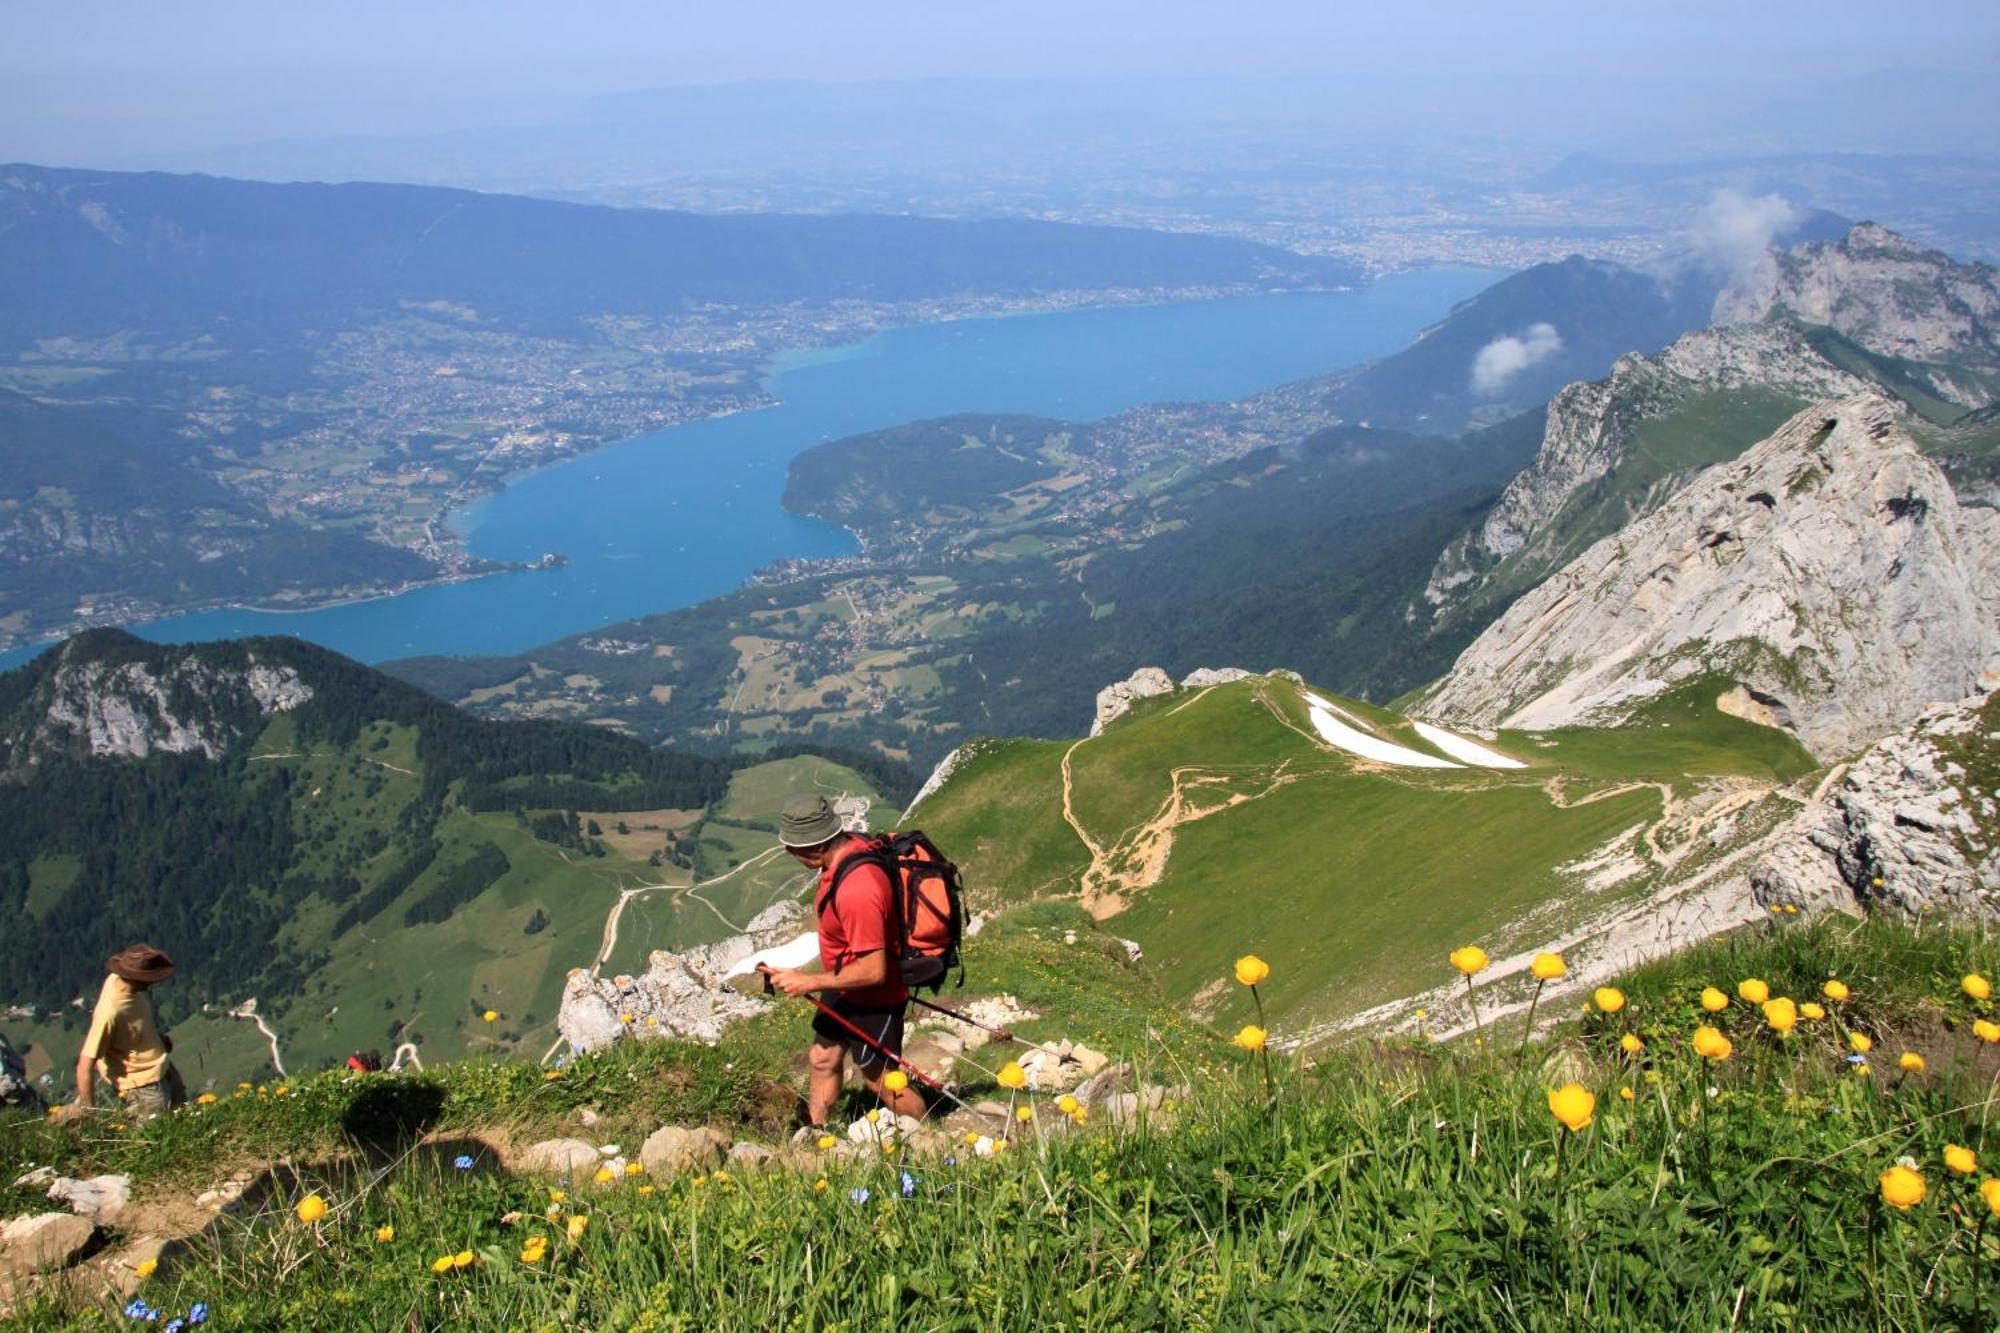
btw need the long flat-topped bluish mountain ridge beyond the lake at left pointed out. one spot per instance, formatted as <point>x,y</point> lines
<point>99,253</point>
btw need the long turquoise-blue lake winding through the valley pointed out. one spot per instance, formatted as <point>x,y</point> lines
<point>681,515</point>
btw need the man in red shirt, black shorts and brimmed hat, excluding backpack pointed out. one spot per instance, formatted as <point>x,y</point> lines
<point>861,954</point>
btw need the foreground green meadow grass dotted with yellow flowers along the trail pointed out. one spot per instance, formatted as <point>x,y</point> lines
<point>1385,1186</point>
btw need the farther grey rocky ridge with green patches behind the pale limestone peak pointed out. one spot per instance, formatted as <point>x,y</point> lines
<point>1811,325</point>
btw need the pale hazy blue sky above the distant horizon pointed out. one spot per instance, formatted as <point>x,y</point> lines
<point>93,79</point>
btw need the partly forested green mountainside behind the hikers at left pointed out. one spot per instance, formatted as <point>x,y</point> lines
<point>365,862</point>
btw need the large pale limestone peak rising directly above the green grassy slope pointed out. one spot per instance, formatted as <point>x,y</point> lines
<point>1829,575</point>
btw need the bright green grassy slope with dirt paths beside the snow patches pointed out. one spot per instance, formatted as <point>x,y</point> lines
<point>1219,822</point>
